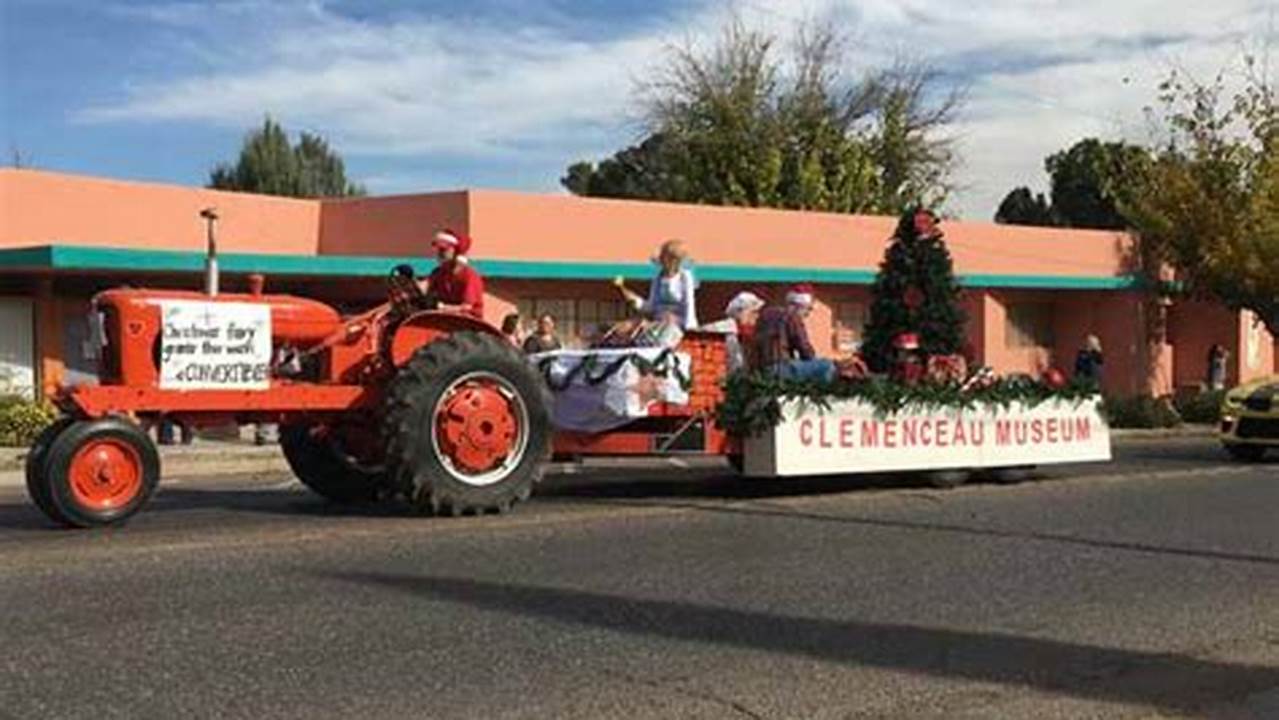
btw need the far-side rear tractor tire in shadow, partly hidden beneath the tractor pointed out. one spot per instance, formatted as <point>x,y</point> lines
<point>322,466</point>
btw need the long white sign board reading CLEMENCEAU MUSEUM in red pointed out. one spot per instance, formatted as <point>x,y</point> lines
<point>851,437</point>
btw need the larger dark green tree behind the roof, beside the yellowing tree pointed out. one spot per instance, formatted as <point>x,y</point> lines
<point>1087,178</point>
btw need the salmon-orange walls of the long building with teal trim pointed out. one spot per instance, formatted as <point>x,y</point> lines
<point>44,209</point>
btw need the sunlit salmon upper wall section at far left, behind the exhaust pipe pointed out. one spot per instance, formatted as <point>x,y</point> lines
<point>40,209</point>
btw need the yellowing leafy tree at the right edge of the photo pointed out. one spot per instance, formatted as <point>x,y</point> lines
<point>1209,205</point>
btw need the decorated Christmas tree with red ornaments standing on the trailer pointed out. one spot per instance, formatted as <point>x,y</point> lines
<point>915,292</point>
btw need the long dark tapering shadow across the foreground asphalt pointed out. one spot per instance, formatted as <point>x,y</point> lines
<point>1158,681</point>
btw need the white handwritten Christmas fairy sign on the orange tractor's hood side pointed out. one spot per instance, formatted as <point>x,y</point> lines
<point>216,346</point>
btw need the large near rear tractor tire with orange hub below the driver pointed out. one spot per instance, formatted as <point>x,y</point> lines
<point>467,427</point>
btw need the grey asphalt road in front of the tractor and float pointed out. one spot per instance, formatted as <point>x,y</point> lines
<point>1148,588</point>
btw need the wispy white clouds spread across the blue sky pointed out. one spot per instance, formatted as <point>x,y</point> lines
<point>1043,74</point>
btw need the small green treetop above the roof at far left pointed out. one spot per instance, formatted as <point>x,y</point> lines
<point>269,164</point>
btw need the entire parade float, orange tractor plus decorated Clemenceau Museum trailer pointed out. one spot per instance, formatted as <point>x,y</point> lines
<point>437,407</point>
